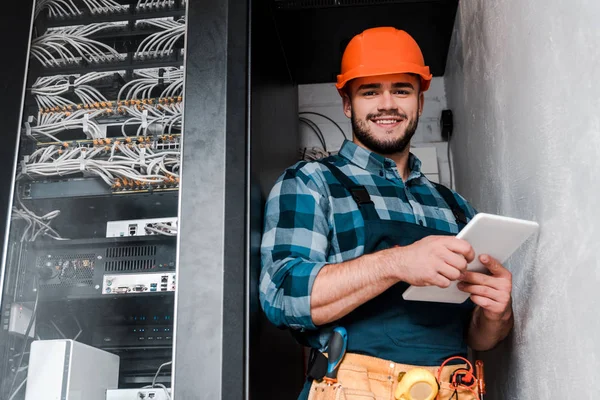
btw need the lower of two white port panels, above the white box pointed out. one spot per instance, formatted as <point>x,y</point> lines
<point>118,284</point>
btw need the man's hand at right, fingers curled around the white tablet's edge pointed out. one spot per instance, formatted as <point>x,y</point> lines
<point>491,292</point>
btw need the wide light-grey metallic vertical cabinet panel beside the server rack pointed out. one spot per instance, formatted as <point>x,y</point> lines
<point>199,306</point>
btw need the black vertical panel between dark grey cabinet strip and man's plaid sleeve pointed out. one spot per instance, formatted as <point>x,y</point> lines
<point>276,364</point>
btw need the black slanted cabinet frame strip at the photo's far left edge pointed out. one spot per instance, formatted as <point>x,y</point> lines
<point>15,27</point>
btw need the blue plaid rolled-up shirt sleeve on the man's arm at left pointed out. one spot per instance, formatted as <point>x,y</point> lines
<point>294,247</point>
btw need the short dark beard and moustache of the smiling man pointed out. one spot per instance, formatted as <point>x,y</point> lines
<point>384,146</point>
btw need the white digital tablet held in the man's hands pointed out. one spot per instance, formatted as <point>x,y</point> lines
<point>489,234</point>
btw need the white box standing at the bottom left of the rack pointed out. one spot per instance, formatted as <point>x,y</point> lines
<point>69,370</point>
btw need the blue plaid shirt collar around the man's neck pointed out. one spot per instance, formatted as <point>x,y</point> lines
<point>374,163</point>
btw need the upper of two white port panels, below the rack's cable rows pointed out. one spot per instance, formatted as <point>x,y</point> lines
<point>142,227</point>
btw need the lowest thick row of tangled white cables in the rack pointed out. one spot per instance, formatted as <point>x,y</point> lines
<point>118,165</point>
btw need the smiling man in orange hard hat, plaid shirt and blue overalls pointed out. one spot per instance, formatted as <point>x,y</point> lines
<point>345,236</point>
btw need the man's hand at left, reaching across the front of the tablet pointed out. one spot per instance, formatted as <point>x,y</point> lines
<point>432,261</point>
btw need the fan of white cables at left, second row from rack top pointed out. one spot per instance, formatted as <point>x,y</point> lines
<point>59,47</point>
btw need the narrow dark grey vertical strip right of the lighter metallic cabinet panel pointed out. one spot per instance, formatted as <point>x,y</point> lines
<point>237,130</point>
